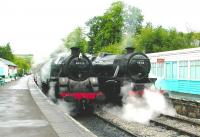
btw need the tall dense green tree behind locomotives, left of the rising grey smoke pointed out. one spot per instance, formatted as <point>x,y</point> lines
<point>107,29</point>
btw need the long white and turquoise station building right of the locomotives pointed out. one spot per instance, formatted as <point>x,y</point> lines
<point>177,71</point>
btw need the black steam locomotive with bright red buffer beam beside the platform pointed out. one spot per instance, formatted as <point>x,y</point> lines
<point>70,79</point>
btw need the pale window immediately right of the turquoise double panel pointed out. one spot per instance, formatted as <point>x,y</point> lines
<point>183,69</point>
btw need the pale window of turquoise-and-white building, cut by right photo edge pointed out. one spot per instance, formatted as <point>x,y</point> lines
<point>195,69</point>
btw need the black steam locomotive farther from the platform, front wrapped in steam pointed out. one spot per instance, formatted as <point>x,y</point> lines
<point>114,71</point>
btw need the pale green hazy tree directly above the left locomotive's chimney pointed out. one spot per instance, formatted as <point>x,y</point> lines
<point>76,39</point>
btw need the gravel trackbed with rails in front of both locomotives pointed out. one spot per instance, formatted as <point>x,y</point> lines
<point>105,124</point>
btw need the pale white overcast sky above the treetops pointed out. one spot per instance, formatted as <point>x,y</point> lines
<point>37,26</point>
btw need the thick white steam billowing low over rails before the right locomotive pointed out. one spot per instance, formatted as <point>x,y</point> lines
<point>141,109</point>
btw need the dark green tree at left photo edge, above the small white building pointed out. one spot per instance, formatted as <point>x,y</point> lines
<point>6,52</point>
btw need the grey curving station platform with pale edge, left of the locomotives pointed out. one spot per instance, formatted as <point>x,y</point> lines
<point>26,112</point>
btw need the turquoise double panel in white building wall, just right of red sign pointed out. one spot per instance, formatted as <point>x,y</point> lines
<point>171,70</point>
